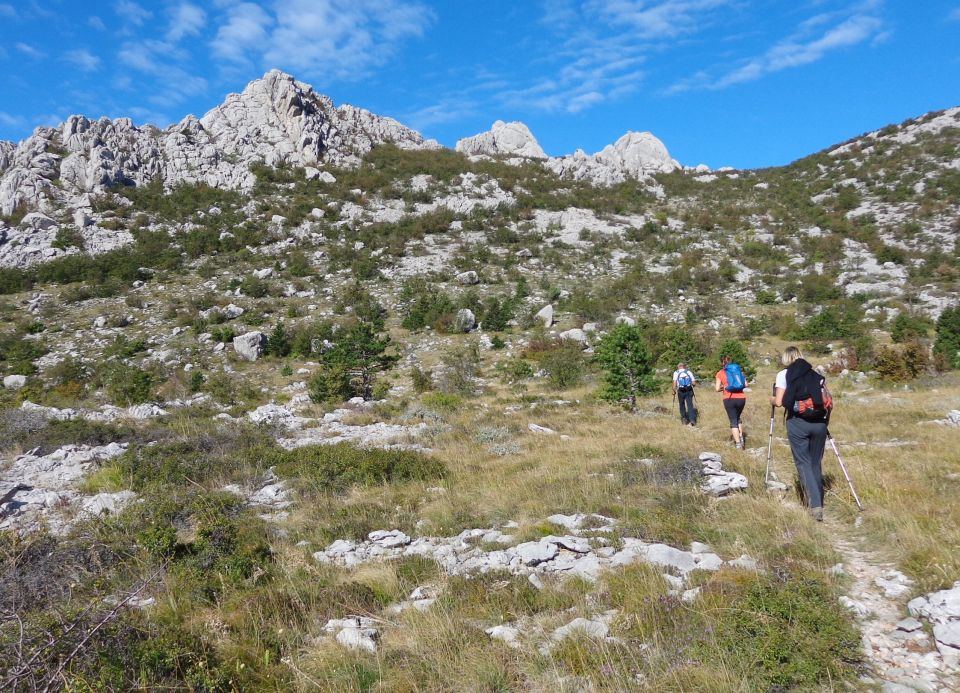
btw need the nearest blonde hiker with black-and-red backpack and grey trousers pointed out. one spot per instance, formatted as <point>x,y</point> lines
<point>802,392</point>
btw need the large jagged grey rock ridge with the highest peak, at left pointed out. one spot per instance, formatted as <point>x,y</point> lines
<point>275,120</point>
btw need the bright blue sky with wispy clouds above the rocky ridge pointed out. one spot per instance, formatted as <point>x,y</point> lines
<point>742,83</point>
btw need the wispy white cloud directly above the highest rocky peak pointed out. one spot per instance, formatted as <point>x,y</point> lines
<point>340,39</point>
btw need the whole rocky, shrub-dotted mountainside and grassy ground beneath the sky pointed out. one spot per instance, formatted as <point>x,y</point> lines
<point>294,398</point>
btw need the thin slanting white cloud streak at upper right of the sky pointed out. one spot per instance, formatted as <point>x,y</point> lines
<point>796,51</point>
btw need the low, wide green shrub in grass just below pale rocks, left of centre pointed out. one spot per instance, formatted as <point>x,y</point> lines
<point>337,467</point>
